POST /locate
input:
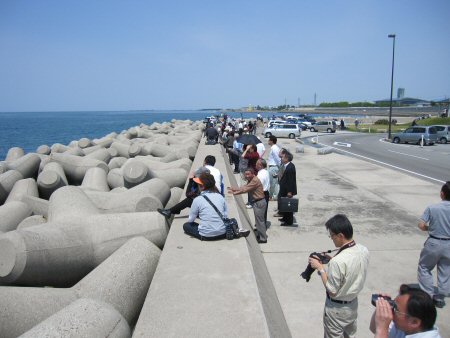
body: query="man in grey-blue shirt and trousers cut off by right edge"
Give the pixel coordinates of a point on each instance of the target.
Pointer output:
(436, 250)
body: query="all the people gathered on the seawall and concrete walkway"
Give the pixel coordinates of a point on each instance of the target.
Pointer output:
(411, 314)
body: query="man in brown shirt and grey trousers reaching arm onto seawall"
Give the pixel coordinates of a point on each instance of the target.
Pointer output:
(255, 187)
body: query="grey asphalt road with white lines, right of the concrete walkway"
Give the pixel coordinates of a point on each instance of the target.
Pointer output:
(430, 162)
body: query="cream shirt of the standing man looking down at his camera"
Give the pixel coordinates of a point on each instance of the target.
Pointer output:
(347, 273)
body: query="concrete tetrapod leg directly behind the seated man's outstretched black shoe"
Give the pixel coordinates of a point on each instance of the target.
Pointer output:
(147, 196)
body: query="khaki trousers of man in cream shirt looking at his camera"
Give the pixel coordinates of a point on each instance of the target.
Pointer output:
(339, 320)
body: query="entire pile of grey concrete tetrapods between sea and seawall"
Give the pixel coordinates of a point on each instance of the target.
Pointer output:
(80, 238)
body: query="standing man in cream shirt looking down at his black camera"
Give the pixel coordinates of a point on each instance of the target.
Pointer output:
(344, 280)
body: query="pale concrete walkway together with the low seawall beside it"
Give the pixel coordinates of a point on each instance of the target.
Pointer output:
(241, 289)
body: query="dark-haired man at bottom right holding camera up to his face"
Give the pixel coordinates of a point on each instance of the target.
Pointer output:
(411, 314)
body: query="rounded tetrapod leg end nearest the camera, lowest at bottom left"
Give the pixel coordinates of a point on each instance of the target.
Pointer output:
(83, 318)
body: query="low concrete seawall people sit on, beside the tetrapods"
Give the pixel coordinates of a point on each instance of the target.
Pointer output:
(211, 289)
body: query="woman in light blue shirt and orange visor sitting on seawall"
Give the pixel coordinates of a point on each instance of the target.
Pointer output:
(211, 226)
